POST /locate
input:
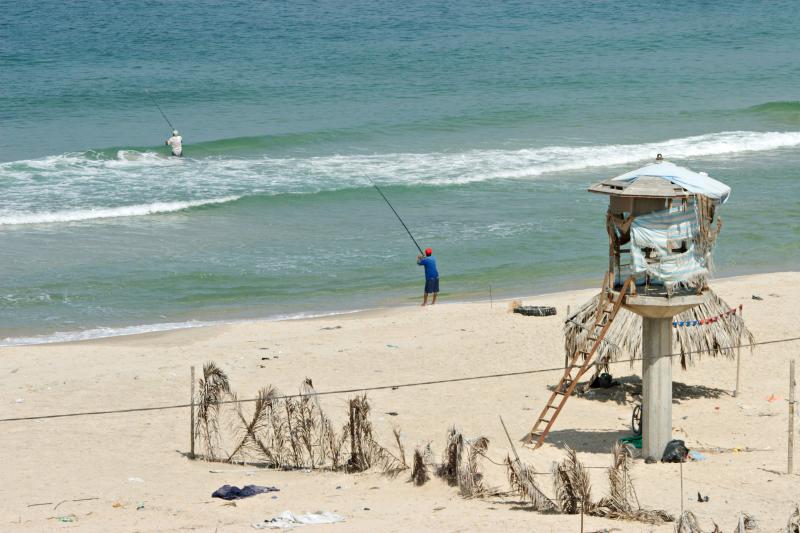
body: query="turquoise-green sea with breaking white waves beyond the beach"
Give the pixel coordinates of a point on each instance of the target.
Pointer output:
(483, 122)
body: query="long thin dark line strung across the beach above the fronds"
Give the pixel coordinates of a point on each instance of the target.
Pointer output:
(385, 387)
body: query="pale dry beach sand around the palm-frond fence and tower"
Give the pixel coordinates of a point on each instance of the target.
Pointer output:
(138, 458)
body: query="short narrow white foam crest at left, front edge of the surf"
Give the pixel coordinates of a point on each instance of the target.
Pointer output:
(111, 212)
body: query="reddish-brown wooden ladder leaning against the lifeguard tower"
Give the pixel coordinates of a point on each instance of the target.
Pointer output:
(606, 312)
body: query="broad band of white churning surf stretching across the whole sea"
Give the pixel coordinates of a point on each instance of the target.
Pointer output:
(73, 187)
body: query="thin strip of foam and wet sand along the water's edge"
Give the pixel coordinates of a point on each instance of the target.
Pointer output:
(160, 328)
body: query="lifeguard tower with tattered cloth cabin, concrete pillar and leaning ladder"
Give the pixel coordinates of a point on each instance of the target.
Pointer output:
(660, 224)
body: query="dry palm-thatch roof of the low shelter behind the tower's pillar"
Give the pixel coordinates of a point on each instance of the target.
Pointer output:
(624, 337)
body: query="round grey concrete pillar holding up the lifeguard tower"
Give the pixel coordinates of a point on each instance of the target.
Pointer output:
(656, 386)
